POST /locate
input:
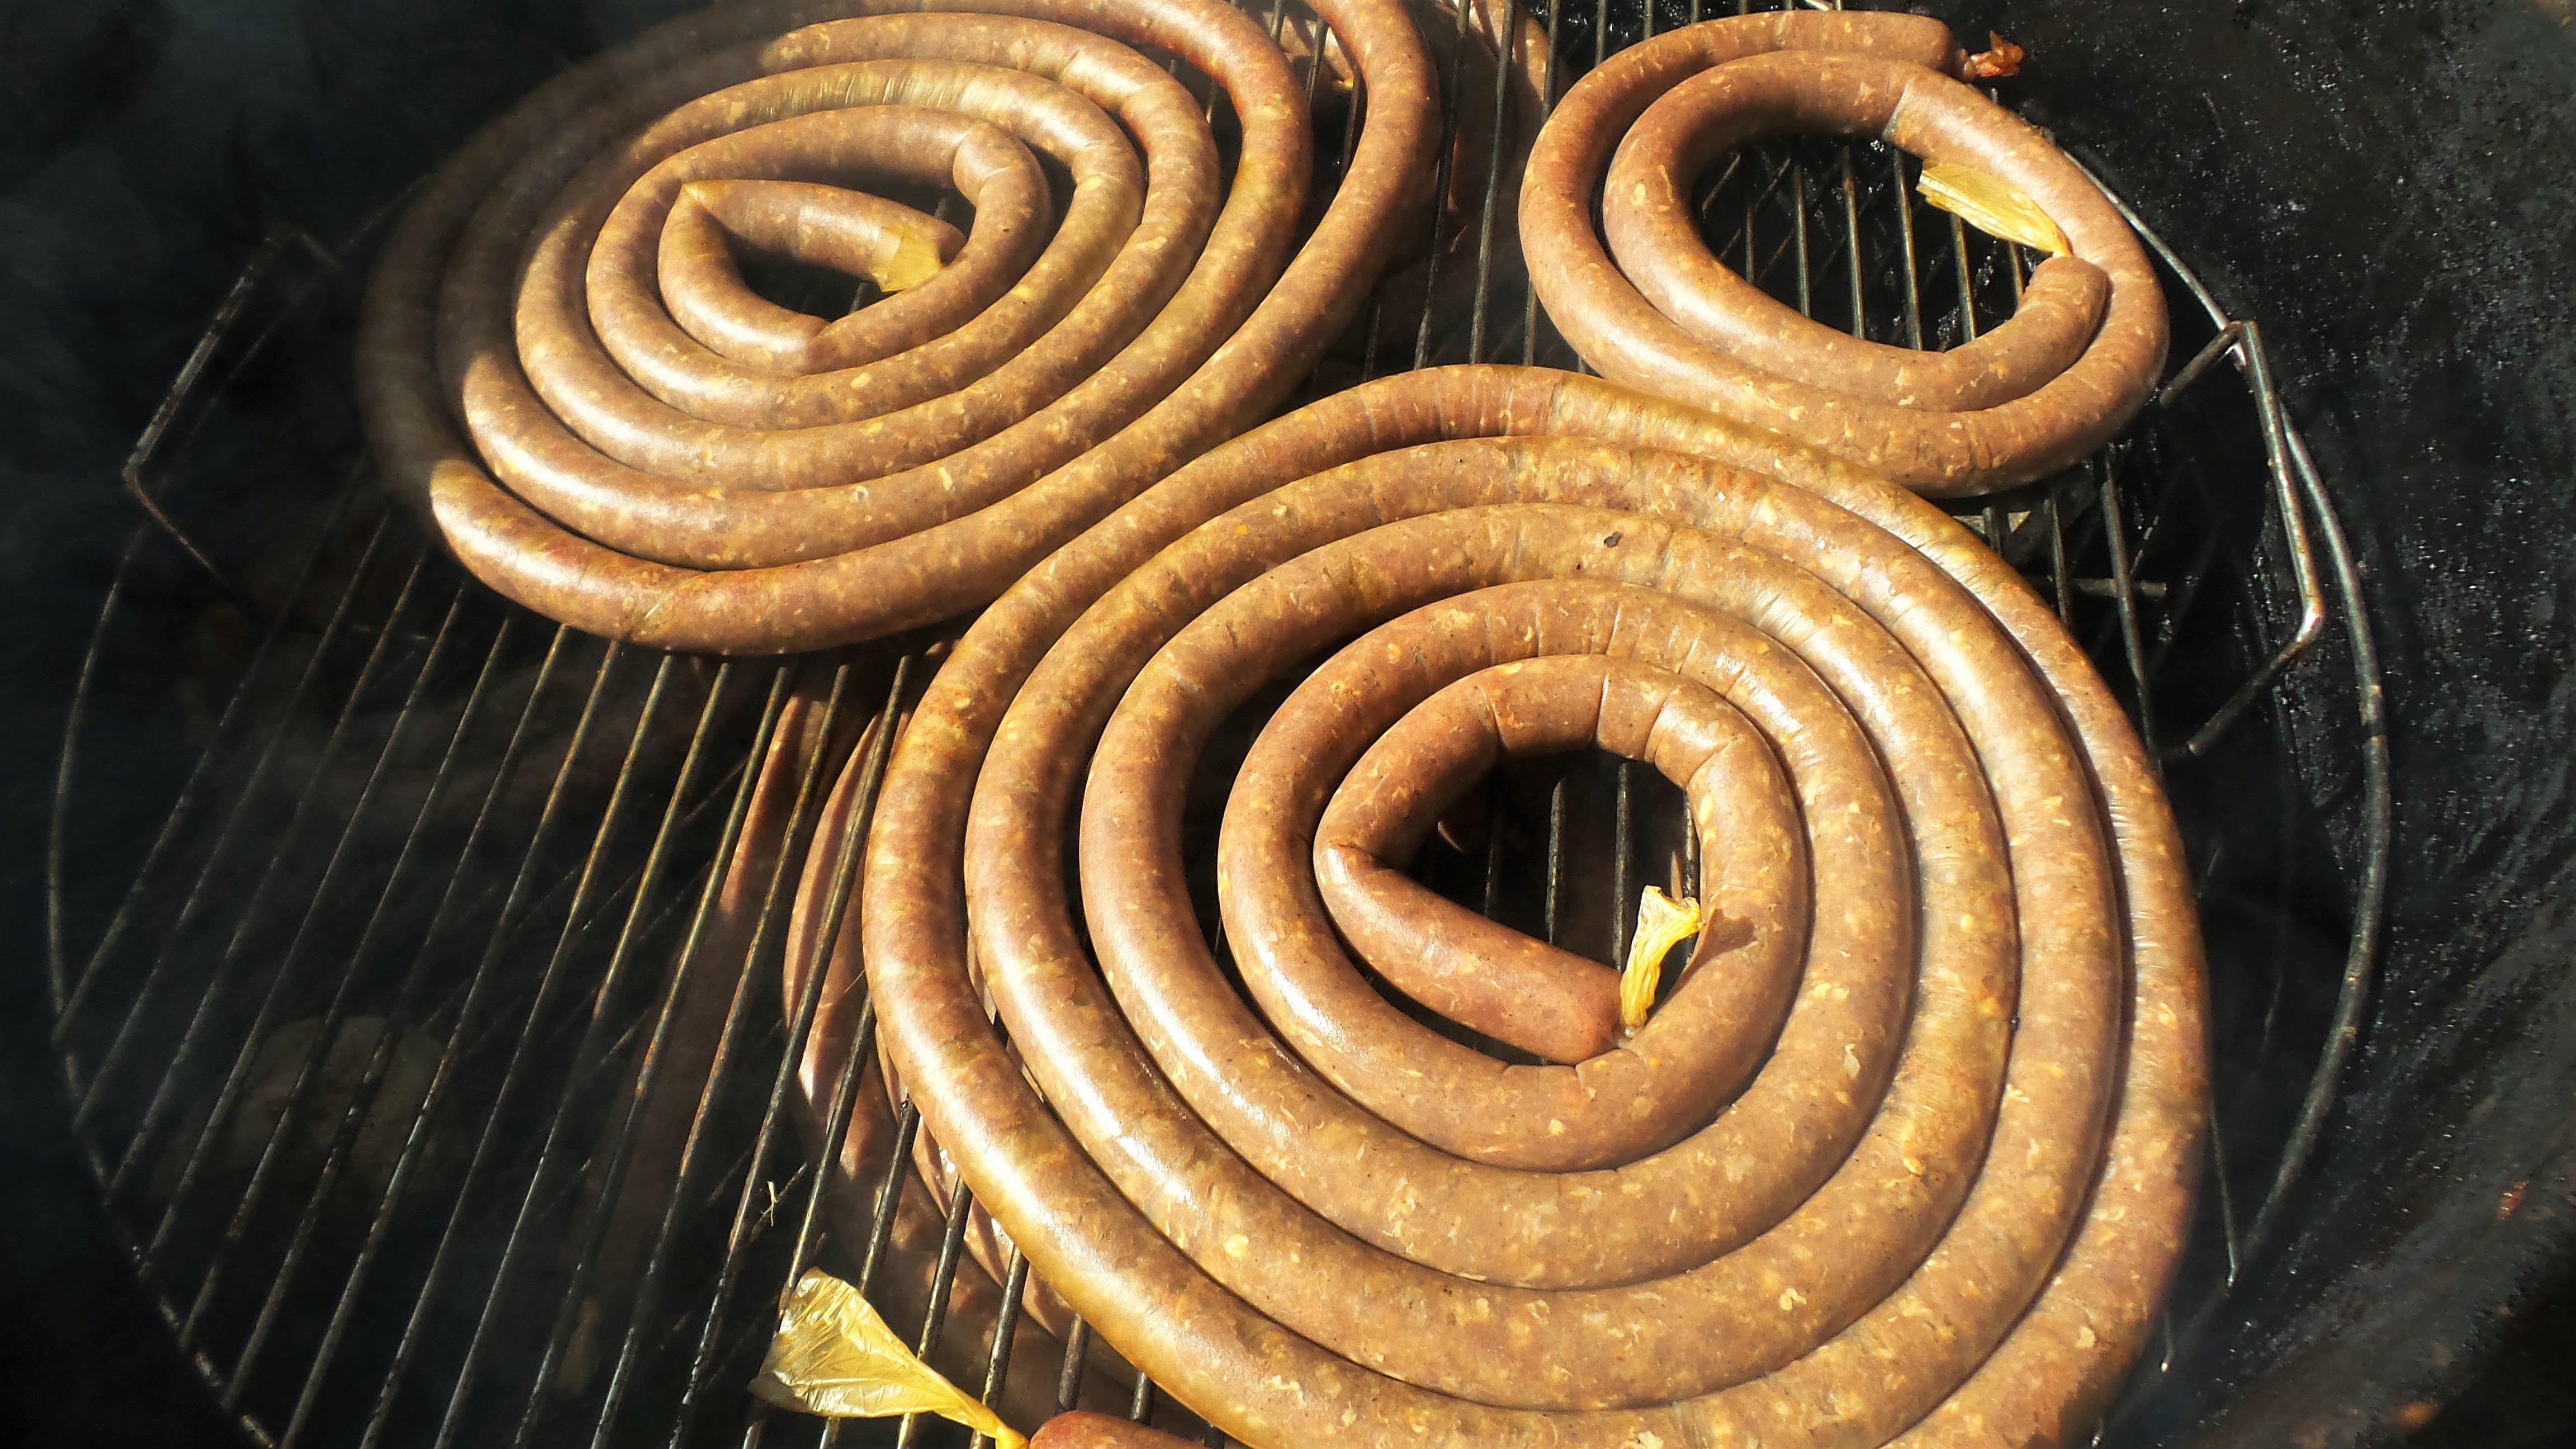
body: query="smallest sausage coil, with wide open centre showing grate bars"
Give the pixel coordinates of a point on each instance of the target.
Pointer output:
(1658, 311)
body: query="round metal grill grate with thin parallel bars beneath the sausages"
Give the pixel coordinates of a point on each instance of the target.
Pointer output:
(380, 911)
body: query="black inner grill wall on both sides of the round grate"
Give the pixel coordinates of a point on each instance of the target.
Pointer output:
(2392, 190)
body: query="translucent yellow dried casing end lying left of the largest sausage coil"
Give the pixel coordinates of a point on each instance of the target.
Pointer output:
(836, 1357)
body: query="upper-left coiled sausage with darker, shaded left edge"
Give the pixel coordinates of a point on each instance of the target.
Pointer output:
(571, 380)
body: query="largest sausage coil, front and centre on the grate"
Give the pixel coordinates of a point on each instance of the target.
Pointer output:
(1908, 1154)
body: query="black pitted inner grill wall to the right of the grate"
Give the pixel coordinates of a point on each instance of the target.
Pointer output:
(2394, 192)
